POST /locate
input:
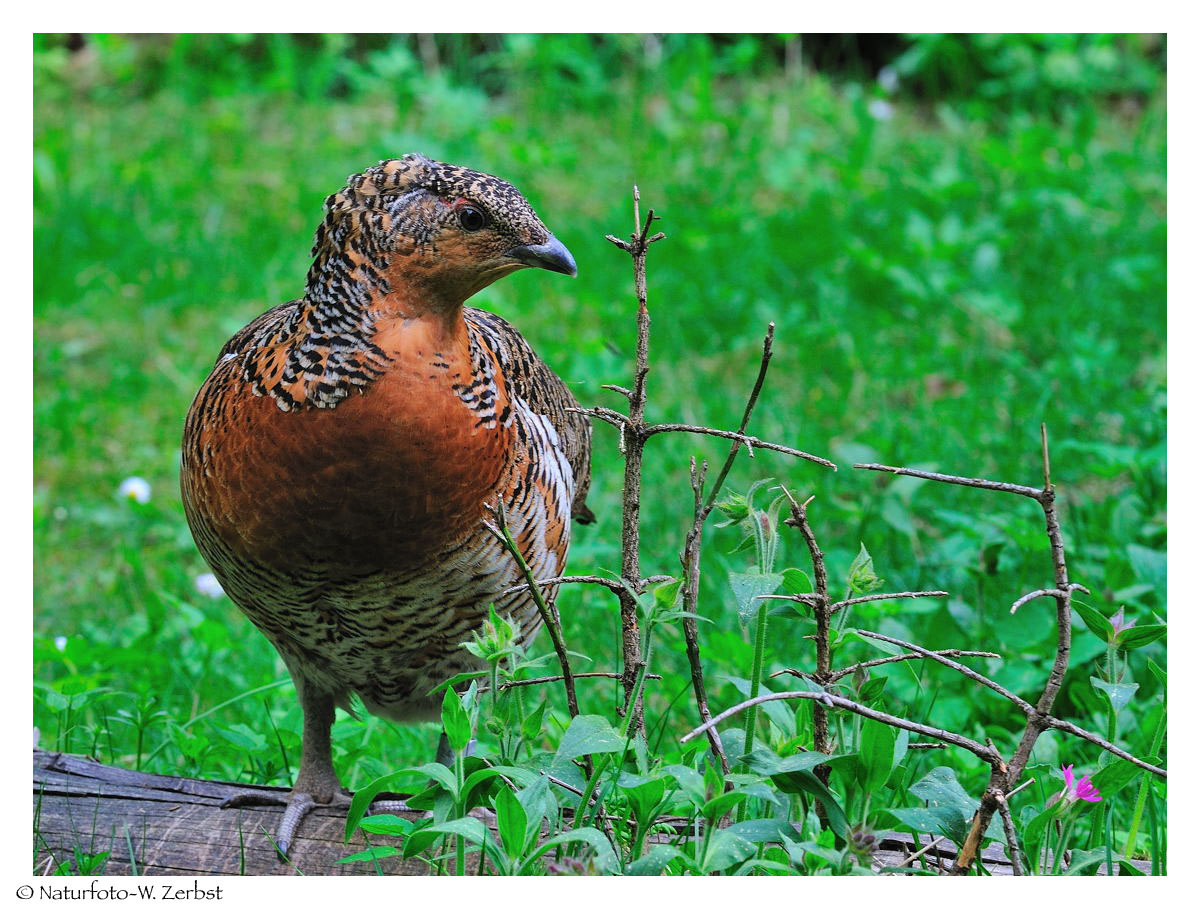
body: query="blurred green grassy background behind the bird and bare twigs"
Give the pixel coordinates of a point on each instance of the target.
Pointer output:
(958, 238)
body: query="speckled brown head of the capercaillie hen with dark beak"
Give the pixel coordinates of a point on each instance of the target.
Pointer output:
(415, 225)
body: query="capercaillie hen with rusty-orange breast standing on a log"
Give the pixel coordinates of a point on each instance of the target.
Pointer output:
(340, 461)
